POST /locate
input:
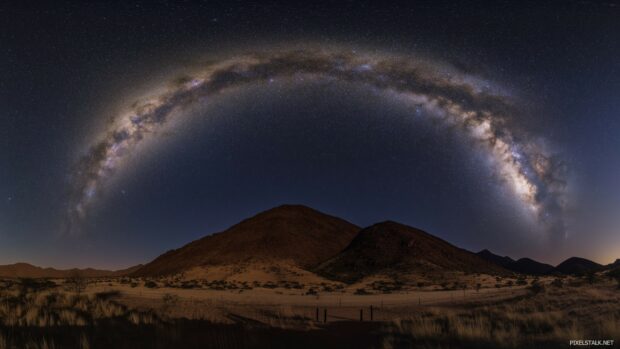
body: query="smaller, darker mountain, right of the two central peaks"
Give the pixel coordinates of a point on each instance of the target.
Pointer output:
(390, 247)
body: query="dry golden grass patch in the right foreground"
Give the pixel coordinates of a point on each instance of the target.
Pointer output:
(551, 317)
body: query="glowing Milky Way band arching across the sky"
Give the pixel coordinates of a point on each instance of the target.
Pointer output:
(489, 119)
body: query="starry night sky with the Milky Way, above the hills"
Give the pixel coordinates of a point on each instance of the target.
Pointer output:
(129, 129)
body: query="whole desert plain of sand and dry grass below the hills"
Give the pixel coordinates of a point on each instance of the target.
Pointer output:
(469, 311)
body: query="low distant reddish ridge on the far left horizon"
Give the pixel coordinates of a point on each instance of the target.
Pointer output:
(25, 270)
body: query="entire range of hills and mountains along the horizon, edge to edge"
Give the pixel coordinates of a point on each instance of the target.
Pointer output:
(294, 242)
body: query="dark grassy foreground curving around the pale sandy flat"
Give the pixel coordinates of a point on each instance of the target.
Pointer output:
(45, 315)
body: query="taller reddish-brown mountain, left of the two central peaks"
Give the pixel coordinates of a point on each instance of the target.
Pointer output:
(295, 234)
